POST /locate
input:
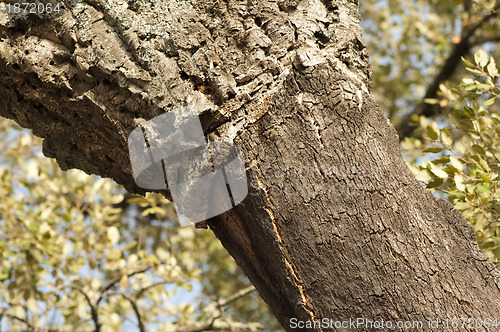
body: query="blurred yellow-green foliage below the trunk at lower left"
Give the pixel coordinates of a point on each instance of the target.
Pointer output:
(77, 251)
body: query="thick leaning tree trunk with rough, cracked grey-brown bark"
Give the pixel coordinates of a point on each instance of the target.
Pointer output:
(335, 225)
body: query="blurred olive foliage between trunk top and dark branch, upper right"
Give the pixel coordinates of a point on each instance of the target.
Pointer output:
(411, 40)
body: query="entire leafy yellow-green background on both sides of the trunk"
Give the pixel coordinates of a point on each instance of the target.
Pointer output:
(79, 253)
